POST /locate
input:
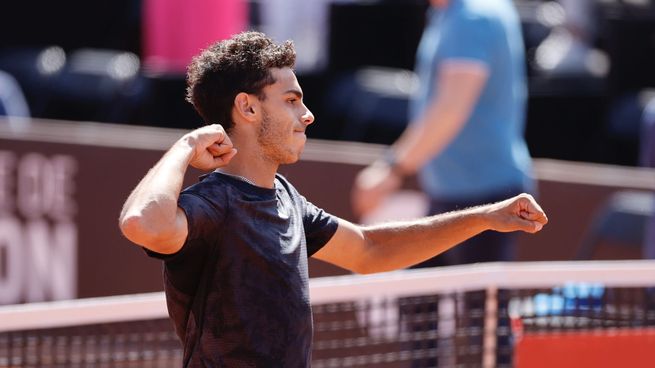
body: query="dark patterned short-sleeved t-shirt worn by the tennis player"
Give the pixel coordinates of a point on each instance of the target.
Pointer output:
(237, 291)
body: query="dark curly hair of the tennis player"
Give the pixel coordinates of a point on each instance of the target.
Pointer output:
(239, 64)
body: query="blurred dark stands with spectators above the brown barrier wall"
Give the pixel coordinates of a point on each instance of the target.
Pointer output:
(589, 65)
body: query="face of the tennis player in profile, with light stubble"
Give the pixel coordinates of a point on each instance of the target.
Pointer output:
(284, 118)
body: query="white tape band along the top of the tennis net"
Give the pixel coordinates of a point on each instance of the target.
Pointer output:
(335, 289)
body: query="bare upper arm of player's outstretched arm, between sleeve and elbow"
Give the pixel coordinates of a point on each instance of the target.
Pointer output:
(347, 248)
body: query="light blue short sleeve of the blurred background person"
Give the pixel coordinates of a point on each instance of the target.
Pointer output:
(468, 36)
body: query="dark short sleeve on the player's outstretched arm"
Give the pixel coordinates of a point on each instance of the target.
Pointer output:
(320, 226)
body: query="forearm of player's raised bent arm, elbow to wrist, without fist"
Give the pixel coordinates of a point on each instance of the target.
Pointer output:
(151, 208)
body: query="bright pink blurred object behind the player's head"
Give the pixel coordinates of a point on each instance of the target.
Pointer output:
(176, 30)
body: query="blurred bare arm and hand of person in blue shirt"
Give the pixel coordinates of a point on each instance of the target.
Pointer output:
(460, 83)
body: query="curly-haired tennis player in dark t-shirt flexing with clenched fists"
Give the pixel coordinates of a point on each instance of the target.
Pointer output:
(235, 245)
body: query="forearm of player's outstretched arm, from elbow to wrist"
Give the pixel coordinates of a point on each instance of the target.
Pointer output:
(403, 244)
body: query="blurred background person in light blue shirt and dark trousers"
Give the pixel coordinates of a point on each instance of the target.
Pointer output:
(465, 137)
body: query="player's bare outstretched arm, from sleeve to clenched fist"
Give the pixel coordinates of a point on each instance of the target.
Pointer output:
(398, 245)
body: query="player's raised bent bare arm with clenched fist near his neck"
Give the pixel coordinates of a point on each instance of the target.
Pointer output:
(150, 216)
